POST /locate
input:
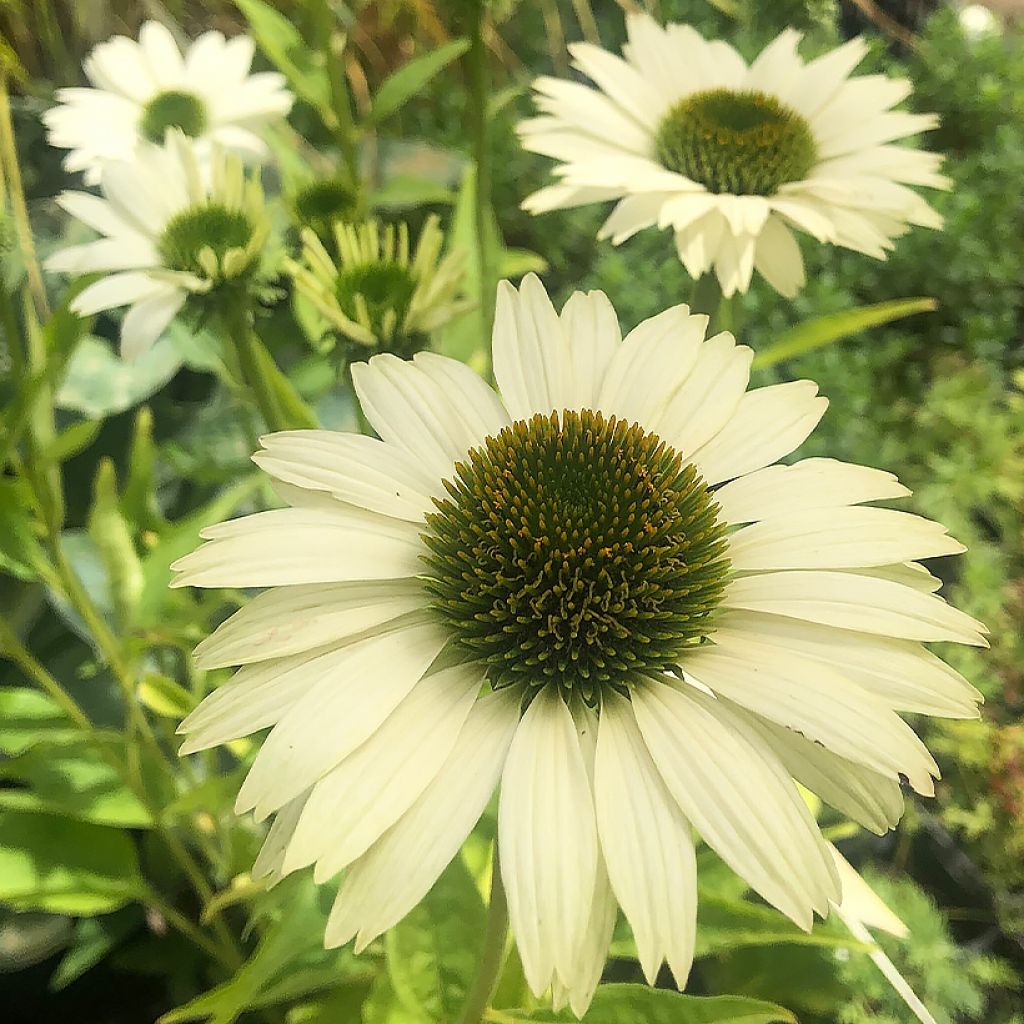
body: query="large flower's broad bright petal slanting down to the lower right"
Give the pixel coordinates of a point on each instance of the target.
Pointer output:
(737, 793)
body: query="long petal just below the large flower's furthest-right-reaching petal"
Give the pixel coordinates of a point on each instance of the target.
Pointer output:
(902, 673)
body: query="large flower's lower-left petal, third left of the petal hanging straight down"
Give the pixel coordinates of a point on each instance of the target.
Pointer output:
(339, 712)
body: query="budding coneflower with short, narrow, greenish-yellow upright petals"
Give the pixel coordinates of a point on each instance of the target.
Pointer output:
(379, 295)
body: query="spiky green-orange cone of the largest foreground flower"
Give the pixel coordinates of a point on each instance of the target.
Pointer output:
(577, 550)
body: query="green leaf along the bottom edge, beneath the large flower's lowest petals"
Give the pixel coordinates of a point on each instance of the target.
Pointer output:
(633, 1004)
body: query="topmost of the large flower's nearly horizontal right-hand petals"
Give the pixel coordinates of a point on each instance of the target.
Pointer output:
(812, 484)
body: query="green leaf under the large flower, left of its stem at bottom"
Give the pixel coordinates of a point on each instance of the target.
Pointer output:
(434, 953)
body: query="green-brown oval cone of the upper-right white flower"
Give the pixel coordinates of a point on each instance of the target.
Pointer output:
(744, 143)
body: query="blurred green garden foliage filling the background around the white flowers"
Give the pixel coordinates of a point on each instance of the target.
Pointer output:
(91, 888)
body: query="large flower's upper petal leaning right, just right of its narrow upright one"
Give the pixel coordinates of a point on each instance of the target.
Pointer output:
(655, 359)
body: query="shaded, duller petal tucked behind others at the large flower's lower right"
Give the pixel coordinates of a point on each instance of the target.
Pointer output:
(871, 799)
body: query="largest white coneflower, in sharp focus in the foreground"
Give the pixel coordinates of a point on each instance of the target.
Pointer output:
(596, 590)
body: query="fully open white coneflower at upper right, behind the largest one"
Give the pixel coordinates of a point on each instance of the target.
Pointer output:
(734, 158)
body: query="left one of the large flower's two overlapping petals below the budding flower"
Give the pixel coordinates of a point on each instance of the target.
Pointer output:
(410, 410)
